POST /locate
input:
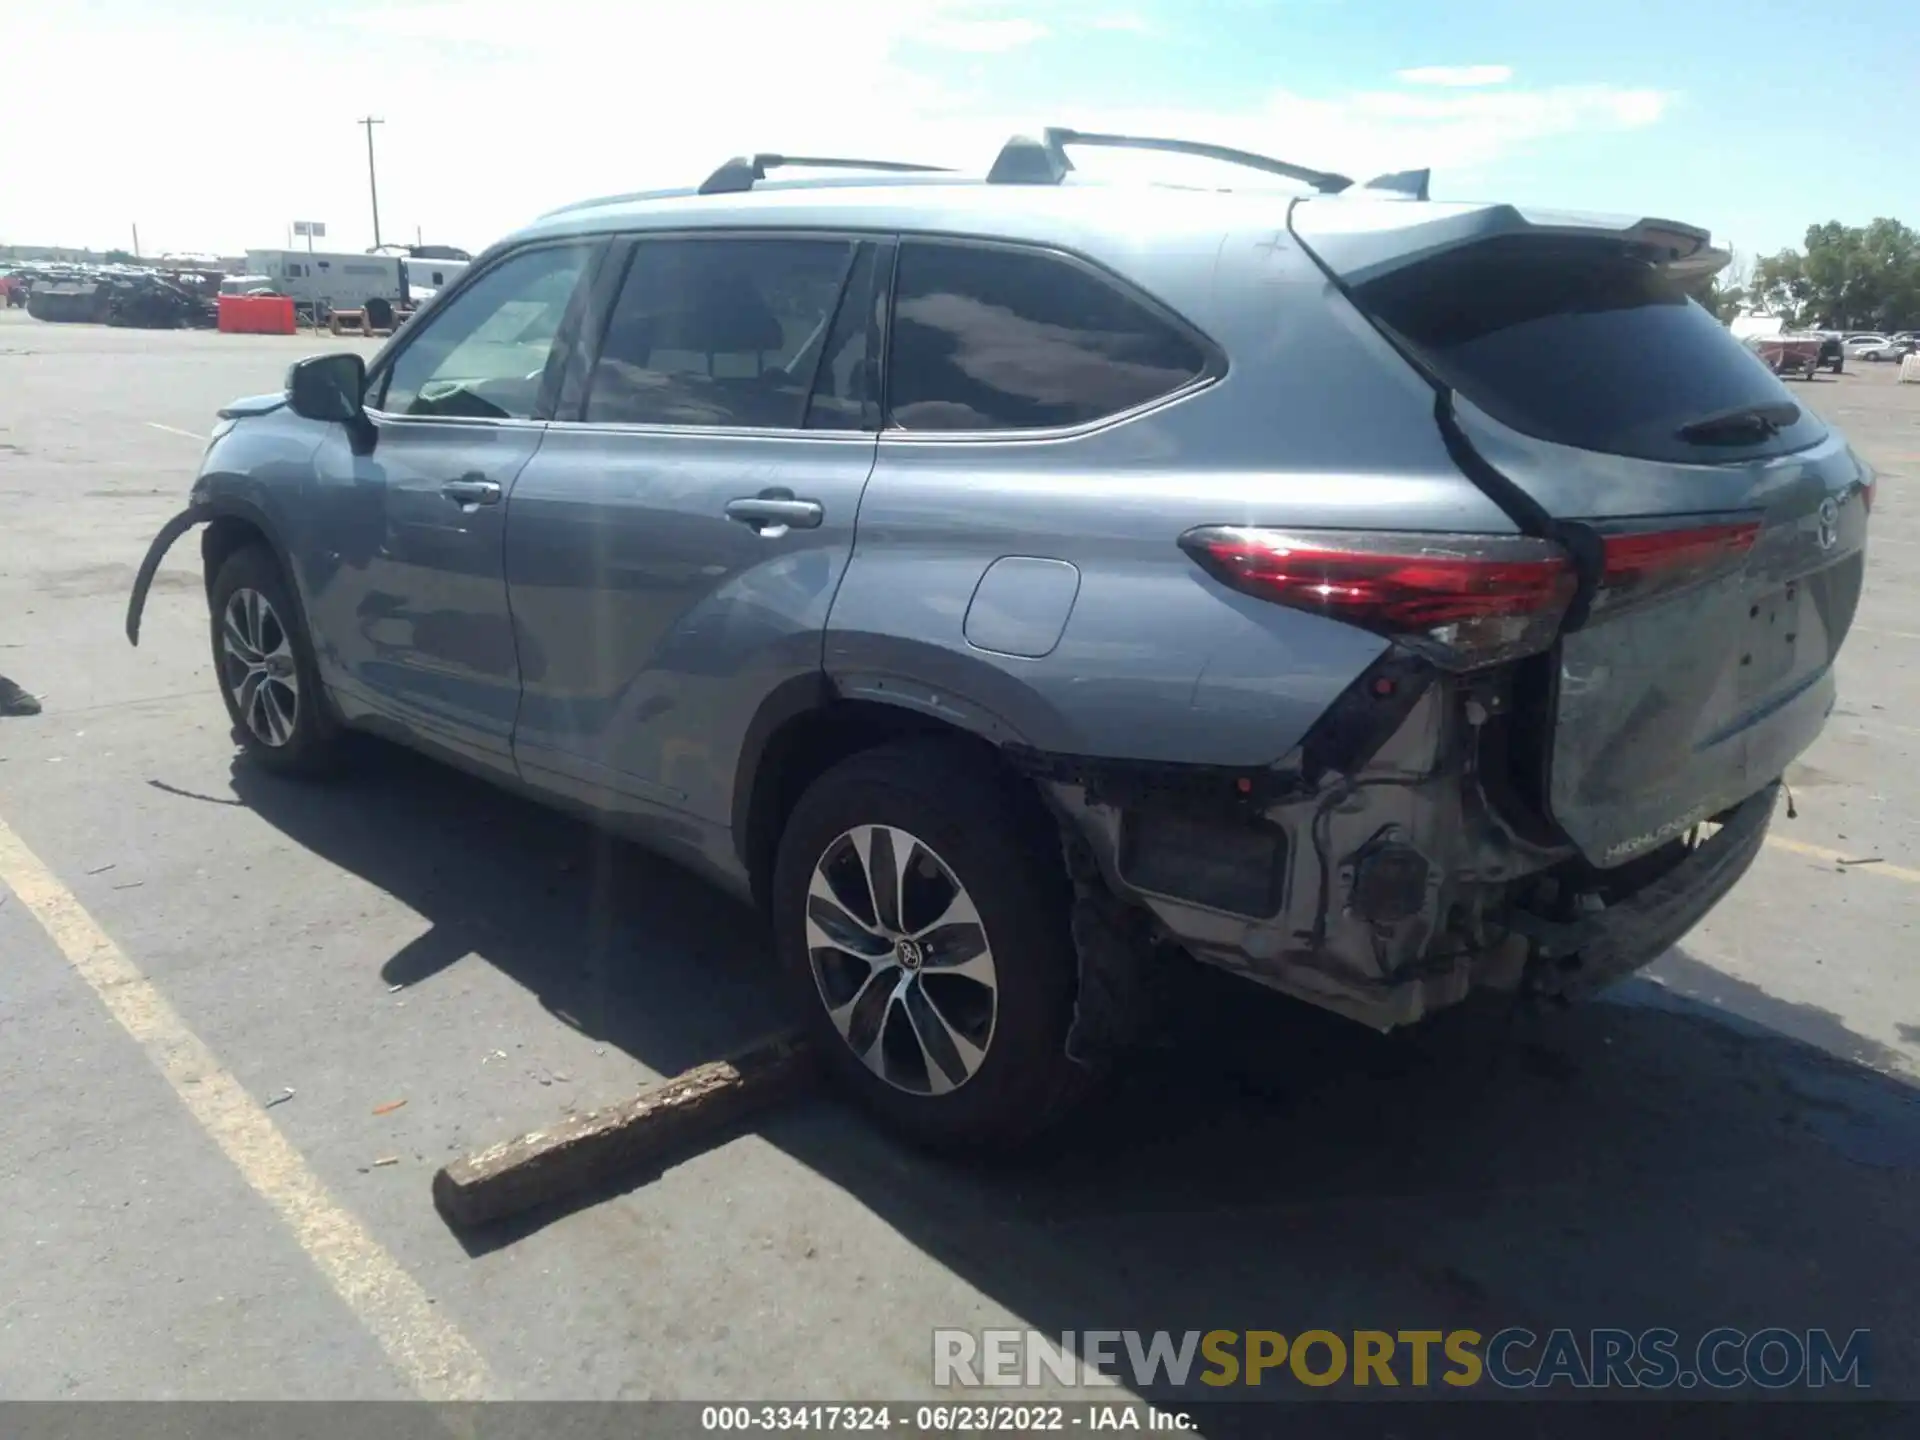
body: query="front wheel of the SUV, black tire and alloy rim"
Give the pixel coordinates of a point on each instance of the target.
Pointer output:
(266, 667)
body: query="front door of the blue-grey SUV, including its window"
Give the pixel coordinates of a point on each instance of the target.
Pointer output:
(418, 625)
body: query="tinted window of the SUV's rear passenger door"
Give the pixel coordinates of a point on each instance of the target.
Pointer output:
(719, 333)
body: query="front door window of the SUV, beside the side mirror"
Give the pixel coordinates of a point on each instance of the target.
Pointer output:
(487, 352)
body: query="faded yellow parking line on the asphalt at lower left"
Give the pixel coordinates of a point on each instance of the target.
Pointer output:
(423, 1345)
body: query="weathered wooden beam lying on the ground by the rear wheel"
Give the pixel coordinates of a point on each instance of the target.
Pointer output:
(600, 1145)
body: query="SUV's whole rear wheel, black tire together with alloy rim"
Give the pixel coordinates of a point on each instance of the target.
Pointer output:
(1001, 1076)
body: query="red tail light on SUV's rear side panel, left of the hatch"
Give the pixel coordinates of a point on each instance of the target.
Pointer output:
(1460, 600)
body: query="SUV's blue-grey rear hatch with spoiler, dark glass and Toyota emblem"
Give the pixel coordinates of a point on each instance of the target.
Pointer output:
(1717, 523)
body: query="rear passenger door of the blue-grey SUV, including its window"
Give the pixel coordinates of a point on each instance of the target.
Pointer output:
(677, 542)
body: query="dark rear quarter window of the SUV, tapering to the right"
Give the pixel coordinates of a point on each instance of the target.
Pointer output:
(1015, 341)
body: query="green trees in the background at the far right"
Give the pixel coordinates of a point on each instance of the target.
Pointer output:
(1846, 277)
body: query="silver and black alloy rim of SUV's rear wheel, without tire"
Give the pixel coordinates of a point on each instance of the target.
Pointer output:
(901, 961)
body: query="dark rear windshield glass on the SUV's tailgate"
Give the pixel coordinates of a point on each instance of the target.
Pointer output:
(1581, 345)
